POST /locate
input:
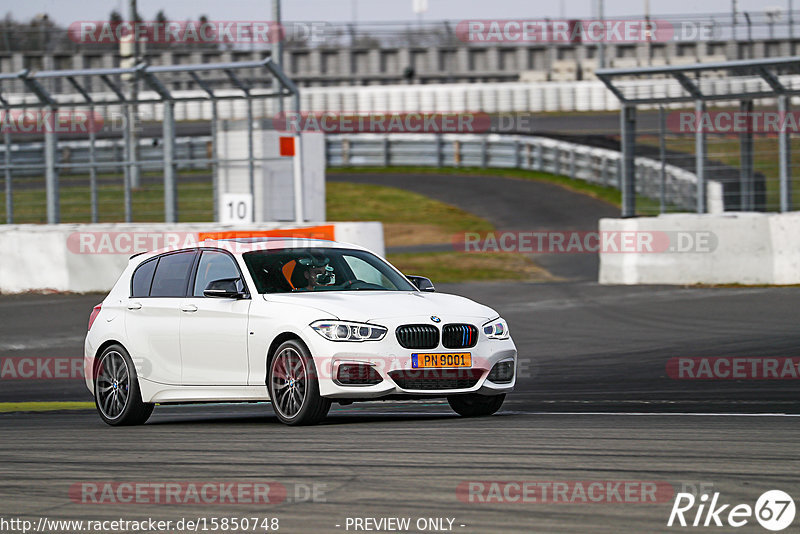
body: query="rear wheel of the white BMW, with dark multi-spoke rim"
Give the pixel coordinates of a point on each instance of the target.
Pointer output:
(116, 390)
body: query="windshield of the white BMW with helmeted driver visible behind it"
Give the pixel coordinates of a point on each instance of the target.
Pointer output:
(322, 269)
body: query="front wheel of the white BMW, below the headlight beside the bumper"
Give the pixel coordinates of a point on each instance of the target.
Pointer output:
(294, 387)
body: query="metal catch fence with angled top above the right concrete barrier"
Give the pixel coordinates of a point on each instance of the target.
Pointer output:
(730, 122)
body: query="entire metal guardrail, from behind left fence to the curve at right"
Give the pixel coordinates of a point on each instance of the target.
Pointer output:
(676, 186)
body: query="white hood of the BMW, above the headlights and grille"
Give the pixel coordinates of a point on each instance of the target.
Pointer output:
(365, 306)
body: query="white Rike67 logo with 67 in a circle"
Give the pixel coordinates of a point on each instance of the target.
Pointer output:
(774, 510)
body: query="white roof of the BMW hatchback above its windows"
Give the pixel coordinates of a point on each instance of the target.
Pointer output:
(243, 245)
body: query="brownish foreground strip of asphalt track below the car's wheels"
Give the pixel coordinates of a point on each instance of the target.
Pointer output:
(407, 464)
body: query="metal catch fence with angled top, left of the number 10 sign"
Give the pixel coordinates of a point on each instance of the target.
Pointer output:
(76, 157)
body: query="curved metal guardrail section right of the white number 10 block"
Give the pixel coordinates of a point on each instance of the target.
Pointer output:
(655, 179)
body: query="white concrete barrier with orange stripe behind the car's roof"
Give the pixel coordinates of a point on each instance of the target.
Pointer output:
(90, 257)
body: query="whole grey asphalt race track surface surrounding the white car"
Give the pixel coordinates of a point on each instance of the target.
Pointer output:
(594, 402)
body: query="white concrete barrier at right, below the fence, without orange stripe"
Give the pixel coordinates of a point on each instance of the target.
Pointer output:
(729, 248)
